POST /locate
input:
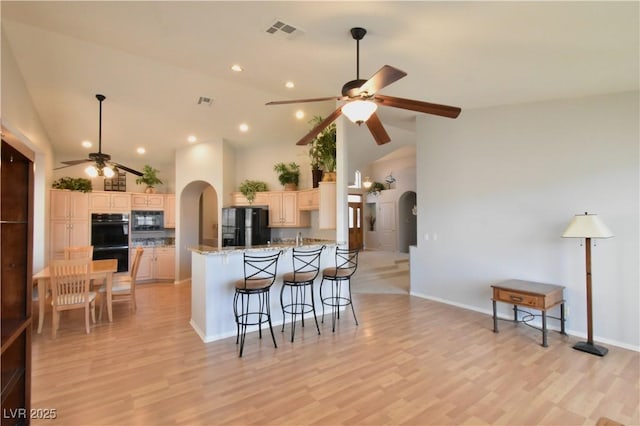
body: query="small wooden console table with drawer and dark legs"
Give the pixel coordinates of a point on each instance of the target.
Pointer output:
(531, 294)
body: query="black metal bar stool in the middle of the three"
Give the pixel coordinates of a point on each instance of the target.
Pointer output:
(306, 266)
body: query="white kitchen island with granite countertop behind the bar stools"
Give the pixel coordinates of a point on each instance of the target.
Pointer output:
(214, 272)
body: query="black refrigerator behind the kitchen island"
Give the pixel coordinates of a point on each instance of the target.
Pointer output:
(245, 226)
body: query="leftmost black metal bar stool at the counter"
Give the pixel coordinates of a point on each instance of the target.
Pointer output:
(259, 276)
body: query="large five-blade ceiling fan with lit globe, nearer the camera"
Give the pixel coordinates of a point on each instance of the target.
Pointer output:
(362, 100)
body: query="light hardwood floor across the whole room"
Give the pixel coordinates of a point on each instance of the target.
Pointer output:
(410, 361)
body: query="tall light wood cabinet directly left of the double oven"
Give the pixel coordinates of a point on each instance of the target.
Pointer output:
(69, 225)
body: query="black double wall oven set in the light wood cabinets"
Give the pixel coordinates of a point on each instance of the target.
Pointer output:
(110, 238)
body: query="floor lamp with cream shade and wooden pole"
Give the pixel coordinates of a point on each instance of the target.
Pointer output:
(588, 226)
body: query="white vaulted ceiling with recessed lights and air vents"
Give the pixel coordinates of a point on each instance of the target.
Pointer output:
(153, 60)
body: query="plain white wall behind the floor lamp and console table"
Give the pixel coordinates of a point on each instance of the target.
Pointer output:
(498, 186)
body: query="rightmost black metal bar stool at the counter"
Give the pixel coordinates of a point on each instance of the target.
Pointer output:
(346, 265)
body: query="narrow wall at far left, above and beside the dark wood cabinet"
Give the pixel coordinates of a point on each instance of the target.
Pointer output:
(20, 117)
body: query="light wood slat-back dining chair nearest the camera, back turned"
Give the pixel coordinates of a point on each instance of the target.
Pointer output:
(70, 280)
